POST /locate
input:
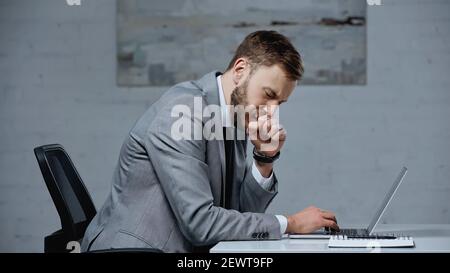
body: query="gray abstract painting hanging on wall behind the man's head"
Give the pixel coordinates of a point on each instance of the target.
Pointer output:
(160, 43)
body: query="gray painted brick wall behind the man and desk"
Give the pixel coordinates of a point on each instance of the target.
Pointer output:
(345, 144)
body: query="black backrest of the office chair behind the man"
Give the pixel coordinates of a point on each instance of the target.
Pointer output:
(70, 196)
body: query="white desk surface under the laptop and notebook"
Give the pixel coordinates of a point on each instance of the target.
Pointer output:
(427, 238)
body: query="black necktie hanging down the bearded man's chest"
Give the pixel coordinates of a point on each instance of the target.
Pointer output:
(229, 163)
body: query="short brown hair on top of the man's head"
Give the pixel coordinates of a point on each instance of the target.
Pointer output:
(268, 48)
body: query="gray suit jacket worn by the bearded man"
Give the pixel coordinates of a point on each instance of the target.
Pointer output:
(166, 193)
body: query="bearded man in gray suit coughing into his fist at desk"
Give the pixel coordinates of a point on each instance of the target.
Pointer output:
(181, 194)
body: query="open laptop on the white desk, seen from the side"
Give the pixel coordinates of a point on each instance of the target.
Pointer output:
(364, 232)
